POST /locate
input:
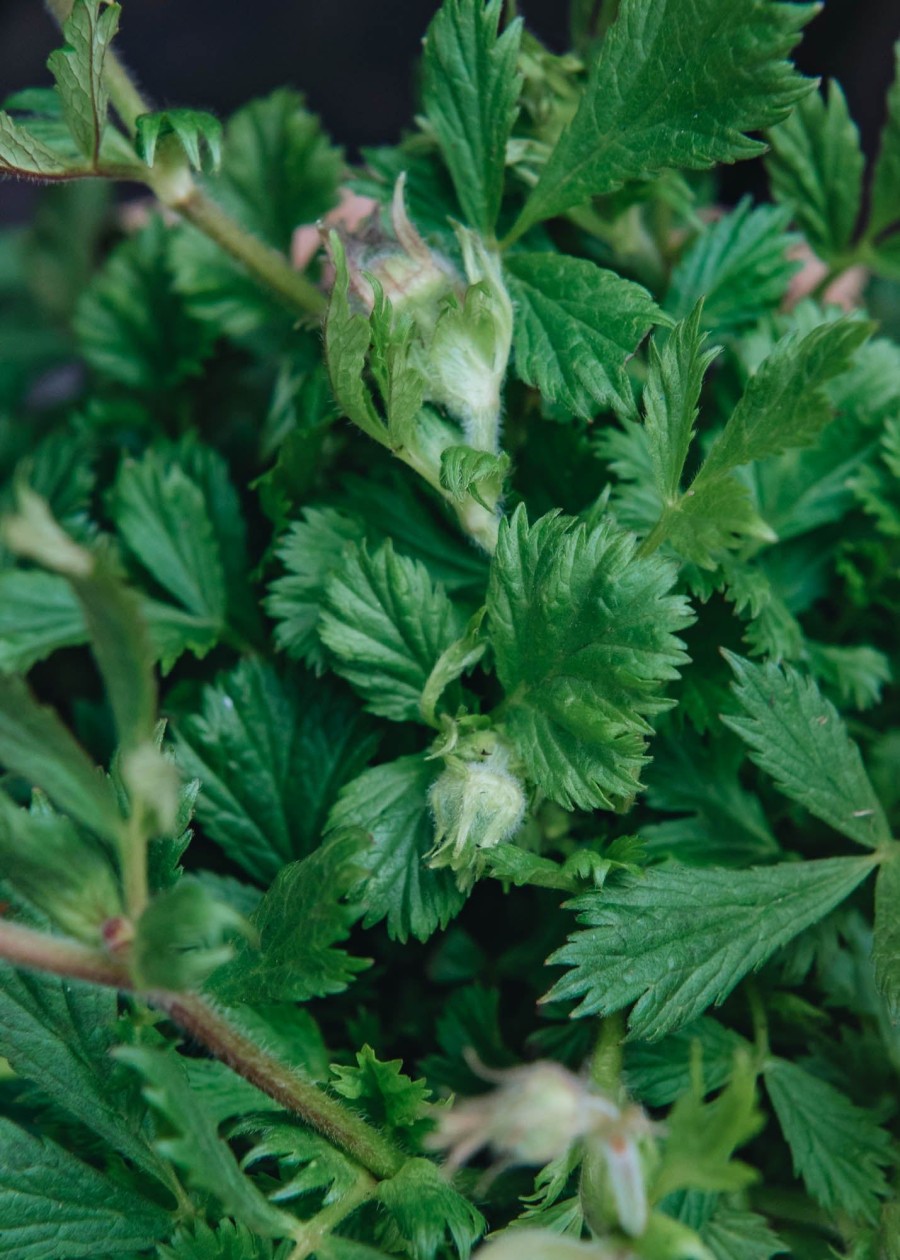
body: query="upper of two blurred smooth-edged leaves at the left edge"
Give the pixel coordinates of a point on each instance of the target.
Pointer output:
(36, 745)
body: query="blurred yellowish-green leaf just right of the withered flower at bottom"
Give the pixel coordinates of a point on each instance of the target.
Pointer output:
(703, 1137)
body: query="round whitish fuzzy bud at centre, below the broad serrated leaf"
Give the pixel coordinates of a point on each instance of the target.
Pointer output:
(477, 805)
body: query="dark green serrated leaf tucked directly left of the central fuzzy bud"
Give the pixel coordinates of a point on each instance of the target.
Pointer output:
(391, 805)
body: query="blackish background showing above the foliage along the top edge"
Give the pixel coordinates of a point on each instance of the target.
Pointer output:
(356, 59)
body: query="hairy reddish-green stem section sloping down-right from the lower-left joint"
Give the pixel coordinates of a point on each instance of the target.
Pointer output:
(332, 1120)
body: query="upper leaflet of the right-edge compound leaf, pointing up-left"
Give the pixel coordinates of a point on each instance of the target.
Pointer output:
(796, 735)
